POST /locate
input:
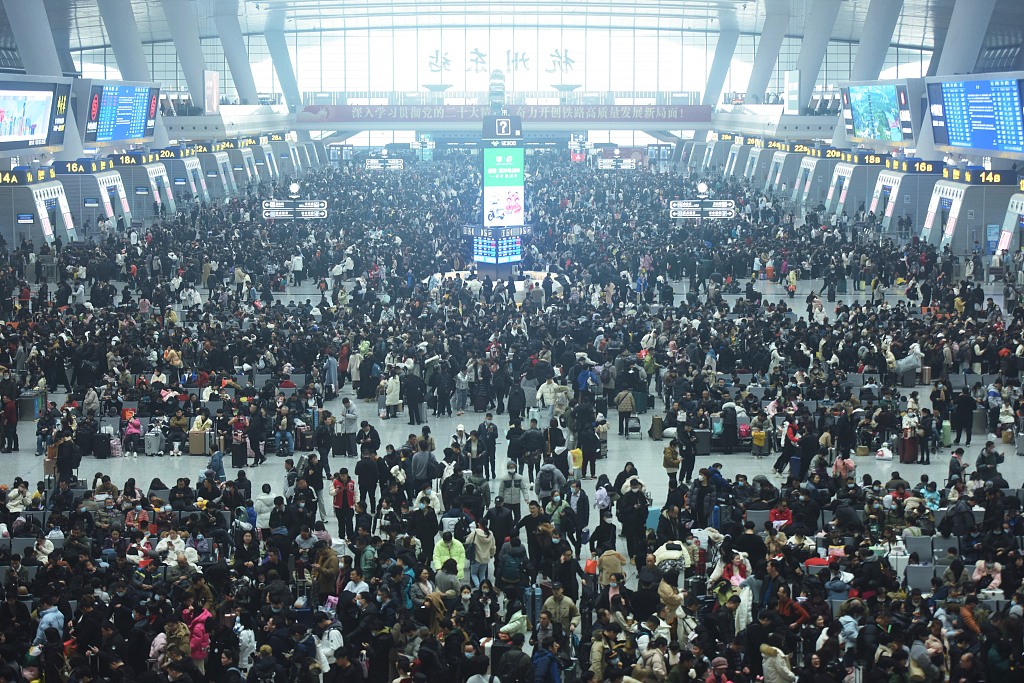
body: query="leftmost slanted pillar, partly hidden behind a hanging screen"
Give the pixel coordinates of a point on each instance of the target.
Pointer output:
(39, 55)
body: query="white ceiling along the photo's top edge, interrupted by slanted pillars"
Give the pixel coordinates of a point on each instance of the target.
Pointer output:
(920, 22)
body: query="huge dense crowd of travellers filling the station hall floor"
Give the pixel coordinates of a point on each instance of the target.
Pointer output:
(450, 559)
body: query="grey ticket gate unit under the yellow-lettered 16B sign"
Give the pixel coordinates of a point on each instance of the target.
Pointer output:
(903, 191)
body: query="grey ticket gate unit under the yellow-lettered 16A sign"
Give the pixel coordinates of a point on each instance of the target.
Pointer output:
(96, 191)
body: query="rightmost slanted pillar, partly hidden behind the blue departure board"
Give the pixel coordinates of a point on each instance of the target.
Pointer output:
(958, 57)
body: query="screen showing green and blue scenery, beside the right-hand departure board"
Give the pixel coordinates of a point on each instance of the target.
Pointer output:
(878, 112)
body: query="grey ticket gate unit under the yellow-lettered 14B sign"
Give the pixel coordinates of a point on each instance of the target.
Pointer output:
(967, 206)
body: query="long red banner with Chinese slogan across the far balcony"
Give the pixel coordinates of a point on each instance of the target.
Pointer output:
(678, 114)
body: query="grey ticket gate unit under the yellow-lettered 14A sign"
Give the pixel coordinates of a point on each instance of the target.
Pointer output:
(33, 204)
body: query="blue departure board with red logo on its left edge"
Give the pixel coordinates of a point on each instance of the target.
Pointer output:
(121, 113)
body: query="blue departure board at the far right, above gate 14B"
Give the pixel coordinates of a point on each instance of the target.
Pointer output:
(978, 115)
